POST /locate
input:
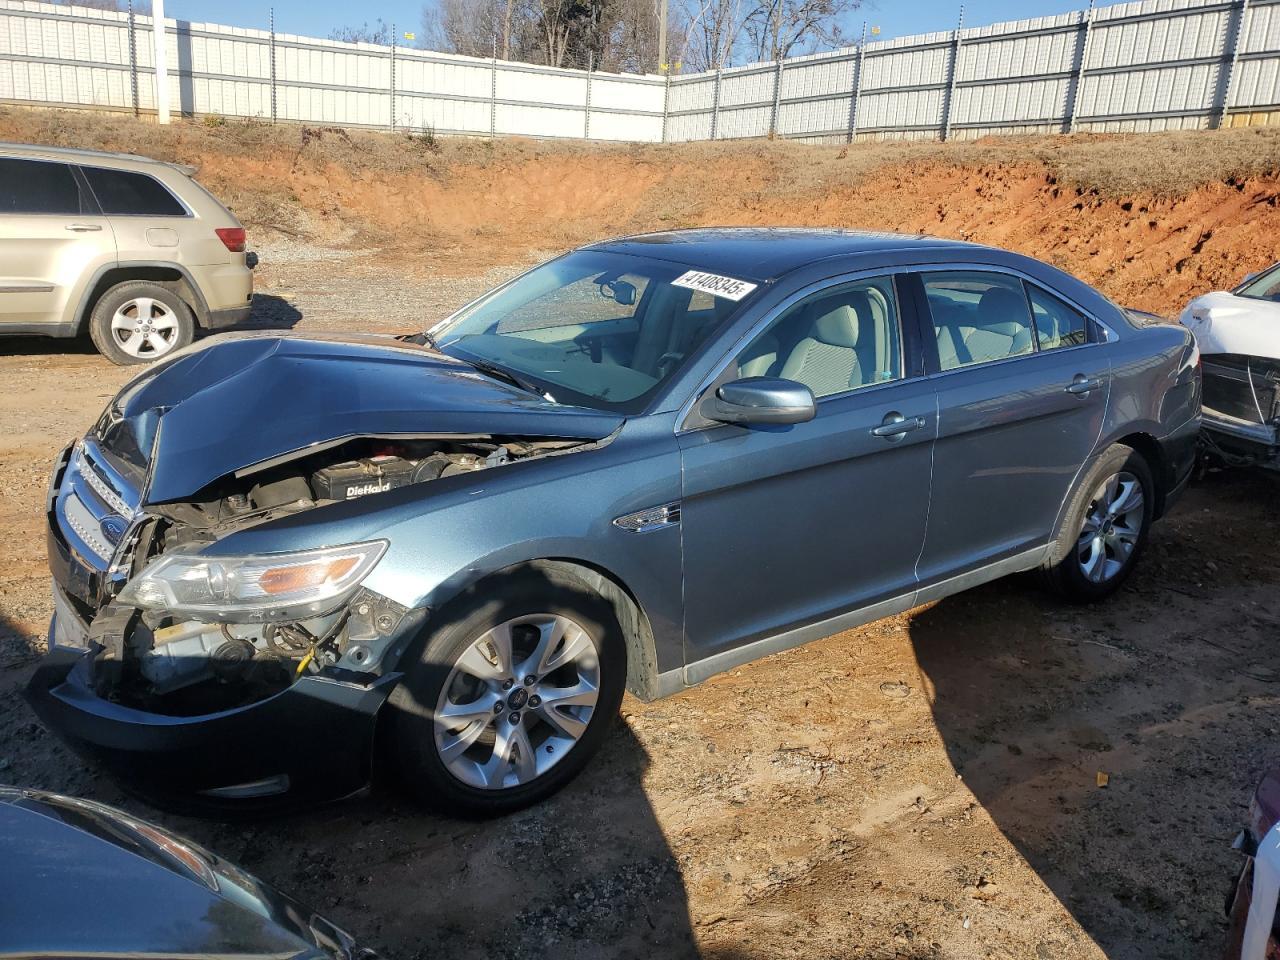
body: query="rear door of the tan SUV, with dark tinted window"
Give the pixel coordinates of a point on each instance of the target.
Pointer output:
(52, 241)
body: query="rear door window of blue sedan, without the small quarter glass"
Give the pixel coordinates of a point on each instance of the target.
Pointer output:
(979, 317)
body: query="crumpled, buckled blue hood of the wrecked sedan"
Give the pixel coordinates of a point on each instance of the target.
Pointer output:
(246, 401)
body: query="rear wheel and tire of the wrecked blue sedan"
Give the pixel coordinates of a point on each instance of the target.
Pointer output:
(1091, 569)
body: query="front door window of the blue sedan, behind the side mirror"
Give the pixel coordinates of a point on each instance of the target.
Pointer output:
(835, 341)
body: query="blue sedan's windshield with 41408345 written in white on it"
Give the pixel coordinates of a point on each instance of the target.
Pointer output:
(597, 330)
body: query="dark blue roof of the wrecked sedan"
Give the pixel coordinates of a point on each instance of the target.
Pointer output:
(769, 253)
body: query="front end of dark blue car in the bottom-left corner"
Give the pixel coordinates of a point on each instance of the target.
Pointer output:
(83, 879)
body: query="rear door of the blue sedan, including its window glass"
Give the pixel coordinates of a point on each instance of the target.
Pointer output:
(1022, 378)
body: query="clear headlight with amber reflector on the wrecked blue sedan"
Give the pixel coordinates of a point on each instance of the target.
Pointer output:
(269, 587)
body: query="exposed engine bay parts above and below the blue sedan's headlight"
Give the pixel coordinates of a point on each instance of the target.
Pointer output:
(184, 666)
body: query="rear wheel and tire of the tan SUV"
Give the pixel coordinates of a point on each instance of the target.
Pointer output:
(139, 322)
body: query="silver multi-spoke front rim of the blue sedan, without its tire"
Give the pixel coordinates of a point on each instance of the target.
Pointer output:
(516, 701)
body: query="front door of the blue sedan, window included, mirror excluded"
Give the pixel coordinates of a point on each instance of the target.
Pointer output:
(788, 527)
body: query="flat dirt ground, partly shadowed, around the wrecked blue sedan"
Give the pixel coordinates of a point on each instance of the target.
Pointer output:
(922, 788)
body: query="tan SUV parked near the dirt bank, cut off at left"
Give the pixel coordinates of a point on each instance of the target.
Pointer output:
(130, 250)
